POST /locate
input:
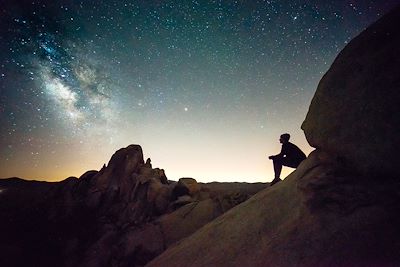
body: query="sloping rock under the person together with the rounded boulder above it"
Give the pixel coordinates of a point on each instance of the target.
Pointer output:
(341, 207)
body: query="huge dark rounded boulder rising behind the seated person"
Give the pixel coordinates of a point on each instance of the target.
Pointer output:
(355, 111)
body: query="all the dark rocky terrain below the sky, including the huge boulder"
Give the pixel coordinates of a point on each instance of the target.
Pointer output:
(340, 208)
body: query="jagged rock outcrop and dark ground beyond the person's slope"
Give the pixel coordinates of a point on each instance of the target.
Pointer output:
(123, 215)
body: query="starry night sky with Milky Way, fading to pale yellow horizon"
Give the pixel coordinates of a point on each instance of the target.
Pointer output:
(205, 87)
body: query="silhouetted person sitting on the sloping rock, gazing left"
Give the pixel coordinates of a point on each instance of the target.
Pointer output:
(290, 156)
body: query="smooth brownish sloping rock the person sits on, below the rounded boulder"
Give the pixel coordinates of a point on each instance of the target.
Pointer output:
(320, 215)
